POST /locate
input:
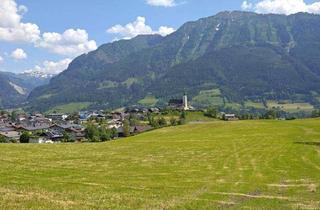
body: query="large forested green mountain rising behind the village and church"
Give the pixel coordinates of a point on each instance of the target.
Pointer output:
(231, 58)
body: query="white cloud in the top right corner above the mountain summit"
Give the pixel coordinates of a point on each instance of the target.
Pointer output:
(284, 6)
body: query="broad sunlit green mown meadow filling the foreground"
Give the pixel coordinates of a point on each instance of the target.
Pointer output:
(215, 165)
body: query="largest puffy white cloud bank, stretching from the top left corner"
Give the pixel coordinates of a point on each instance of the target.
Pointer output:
(71, 43)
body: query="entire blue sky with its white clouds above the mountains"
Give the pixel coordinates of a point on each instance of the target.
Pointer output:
(52, 52)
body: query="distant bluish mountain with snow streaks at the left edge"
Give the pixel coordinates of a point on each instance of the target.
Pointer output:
(15, 88)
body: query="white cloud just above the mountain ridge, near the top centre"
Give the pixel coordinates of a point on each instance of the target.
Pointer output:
(138, 27)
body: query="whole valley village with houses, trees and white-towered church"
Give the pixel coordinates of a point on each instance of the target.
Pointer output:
(92, 126)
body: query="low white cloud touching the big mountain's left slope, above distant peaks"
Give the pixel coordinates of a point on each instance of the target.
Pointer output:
(49, 68)
